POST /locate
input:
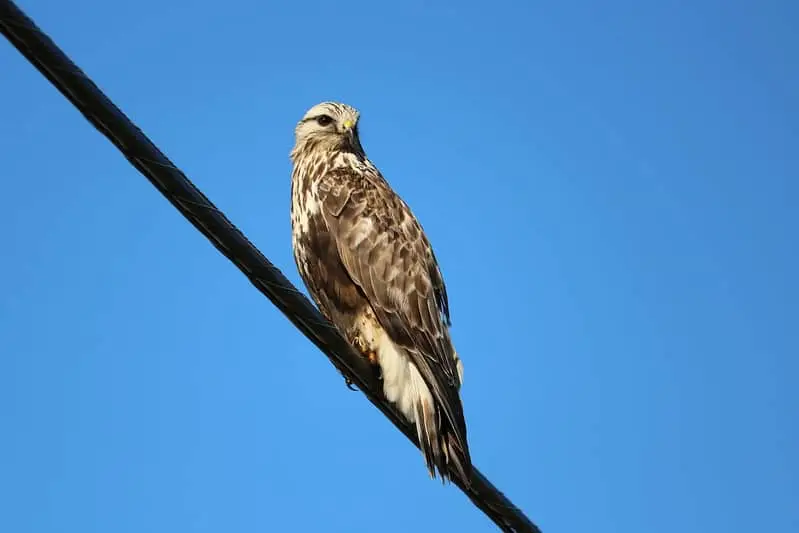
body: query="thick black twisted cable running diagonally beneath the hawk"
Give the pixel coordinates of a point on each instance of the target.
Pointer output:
(73, 83)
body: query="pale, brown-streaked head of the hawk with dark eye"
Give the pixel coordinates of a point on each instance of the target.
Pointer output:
(329, 126)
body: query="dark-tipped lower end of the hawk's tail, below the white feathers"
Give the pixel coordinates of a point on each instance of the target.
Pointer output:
(440, 446)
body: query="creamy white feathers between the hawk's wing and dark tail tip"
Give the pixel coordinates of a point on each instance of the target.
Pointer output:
(403, 385)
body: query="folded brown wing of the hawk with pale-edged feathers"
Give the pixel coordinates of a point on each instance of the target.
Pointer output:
(386, 253)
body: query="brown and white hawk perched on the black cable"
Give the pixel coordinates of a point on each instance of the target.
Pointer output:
(371, 270)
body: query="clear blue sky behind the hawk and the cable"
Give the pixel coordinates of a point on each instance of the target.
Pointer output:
(611, 191)
